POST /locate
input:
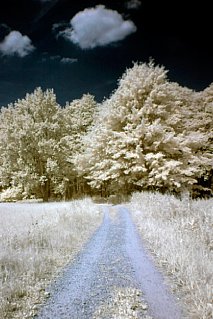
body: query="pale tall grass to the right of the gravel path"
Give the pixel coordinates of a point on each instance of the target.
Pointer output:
(179, 234)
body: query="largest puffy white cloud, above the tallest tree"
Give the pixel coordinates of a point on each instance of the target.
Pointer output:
(97, 26)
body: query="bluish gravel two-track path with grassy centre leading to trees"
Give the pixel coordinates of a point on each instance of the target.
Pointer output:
(113, 277)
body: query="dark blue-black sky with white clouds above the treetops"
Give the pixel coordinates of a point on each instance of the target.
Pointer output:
(41, 46)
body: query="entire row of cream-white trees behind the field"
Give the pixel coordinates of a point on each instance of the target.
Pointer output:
(150, 134)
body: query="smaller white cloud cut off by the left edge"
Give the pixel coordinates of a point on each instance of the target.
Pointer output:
(16, 44)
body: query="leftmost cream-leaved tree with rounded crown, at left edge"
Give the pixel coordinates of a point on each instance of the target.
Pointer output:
(30, 133)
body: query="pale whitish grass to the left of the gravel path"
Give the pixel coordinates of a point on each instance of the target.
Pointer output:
(36, 241)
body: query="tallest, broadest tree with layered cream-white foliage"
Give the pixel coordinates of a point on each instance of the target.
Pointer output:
(144, 136)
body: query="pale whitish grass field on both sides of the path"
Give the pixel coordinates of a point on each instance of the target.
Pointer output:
(37, 240)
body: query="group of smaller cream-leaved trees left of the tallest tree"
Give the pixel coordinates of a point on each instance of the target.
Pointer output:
(34, 149)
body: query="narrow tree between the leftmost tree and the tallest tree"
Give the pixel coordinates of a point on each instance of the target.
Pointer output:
(76, 119)
